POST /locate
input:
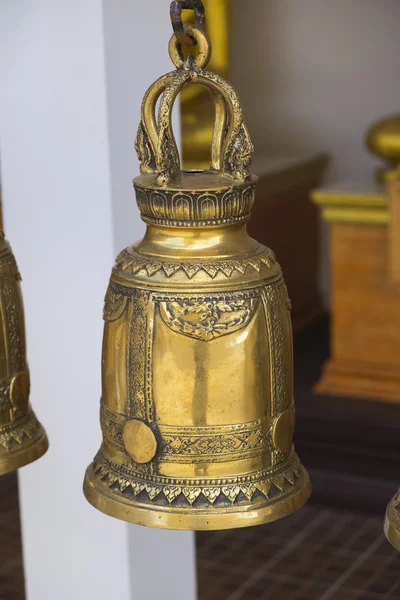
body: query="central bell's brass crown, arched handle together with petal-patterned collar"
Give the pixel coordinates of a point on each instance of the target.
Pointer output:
(165, 194)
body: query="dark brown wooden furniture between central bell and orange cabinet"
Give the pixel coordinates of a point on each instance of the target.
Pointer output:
(285, 220)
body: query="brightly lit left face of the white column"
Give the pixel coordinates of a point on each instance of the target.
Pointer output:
(57, 205)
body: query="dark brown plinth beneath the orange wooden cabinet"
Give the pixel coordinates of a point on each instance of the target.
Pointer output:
(350, 448)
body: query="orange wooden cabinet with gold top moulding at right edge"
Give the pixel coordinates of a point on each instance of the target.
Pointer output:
(365, 325)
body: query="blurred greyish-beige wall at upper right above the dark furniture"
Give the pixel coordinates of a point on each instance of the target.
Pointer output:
(314, 74)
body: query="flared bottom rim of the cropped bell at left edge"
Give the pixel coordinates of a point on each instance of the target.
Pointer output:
(27, 451)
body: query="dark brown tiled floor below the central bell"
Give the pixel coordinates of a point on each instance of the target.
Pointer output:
(316, 554)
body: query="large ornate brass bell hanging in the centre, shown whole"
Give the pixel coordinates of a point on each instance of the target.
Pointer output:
(197, 409)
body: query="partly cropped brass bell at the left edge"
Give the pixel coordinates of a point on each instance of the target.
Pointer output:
(22, 438)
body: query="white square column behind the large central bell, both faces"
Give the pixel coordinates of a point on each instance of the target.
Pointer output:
(72, 76)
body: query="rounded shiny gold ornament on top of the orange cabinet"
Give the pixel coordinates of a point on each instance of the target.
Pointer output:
(383, 139)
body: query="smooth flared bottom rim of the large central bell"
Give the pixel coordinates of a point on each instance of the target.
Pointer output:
(139, 513)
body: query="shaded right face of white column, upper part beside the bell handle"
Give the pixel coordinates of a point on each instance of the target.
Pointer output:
(136, 36)
